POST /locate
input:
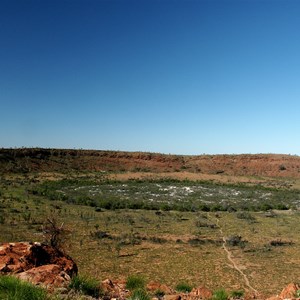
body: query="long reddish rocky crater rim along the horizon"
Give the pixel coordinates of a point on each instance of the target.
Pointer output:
(64, 160)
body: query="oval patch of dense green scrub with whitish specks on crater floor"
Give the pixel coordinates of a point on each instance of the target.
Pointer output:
(167, 194)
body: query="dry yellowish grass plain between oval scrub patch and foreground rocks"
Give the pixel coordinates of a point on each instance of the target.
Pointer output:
(157, 245)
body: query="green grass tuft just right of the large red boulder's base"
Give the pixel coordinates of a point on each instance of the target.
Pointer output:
(85, 285)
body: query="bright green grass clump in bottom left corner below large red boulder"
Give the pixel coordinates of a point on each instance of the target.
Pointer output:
(12, 288)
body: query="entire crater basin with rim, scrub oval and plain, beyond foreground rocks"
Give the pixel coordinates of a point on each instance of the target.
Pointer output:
(235, 228)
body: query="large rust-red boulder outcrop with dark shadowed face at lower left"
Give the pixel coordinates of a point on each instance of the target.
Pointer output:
(37, 263)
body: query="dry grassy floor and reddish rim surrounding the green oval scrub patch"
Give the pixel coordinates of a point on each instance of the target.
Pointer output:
(157, 246)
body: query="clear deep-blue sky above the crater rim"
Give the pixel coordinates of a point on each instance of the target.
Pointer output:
(181, 77)
